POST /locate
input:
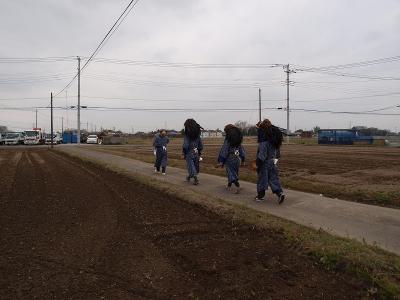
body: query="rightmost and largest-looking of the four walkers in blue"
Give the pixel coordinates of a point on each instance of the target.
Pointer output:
(269, 143)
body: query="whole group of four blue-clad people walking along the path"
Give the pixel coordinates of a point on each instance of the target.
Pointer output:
(231, 156)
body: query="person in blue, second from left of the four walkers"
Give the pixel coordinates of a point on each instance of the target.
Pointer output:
(192, 147)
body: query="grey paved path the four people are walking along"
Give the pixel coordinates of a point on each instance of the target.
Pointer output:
(368, 223)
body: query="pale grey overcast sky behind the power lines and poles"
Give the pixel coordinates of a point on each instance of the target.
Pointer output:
(303, 33)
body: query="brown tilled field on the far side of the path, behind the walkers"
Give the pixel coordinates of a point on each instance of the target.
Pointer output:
(363, 174)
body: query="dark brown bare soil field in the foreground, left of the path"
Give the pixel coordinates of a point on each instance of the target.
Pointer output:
(72, 230)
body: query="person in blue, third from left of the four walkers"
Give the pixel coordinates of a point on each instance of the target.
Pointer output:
(232, 155)
